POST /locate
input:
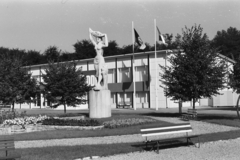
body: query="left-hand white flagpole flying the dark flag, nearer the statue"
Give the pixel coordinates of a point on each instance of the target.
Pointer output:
(133, 70)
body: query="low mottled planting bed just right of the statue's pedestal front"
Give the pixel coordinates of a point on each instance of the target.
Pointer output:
(127, 122)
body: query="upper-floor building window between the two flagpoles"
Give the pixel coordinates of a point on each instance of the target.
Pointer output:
(141, 73)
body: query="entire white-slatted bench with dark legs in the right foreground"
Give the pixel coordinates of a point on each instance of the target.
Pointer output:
(167, 130)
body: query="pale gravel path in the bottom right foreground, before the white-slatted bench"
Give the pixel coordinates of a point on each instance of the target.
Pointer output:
(220, 150)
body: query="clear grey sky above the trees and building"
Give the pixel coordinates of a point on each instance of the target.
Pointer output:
(38, 24)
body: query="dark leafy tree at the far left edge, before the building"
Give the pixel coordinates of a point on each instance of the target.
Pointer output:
(16, 84)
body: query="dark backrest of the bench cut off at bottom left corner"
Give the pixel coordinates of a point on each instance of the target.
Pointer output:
(7, 143)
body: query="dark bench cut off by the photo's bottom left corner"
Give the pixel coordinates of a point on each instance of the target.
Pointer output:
(6, 145)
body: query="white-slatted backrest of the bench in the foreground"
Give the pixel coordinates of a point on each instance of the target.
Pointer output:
(170, 129)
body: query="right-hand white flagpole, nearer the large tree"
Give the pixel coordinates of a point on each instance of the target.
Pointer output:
(156, 86)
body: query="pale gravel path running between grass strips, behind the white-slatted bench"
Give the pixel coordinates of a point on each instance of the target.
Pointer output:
(198, 128)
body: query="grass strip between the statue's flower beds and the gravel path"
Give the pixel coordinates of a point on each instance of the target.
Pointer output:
(75, 133)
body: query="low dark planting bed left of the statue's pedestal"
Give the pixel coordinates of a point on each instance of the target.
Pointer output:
(70, 122)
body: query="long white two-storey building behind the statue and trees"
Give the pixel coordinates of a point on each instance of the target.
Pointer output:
(149, 94)
